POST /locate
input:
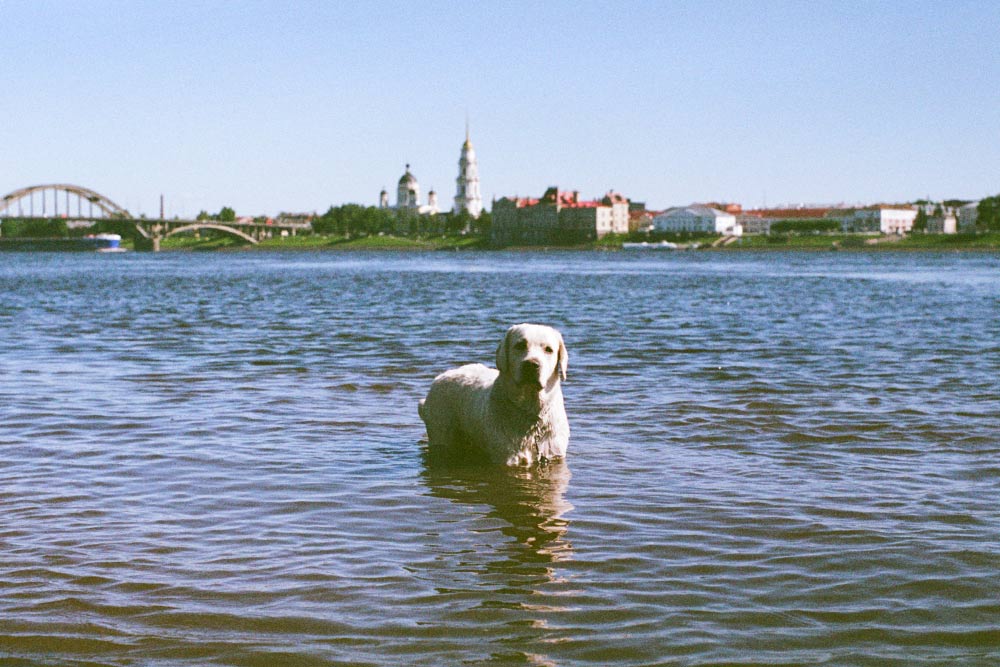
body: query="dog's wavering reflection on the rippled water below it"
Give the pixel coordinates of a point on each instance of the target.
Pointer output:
(527, 504)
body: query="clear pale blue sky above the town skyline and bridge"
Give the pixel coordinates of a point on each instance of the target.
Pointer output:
(296, 106)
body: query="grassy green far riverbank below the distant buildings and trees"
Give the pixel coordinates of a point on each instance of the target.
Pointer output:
(989, 242)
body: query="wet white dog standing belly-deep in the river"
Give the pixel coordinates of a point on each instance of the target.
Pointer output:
(513, 414)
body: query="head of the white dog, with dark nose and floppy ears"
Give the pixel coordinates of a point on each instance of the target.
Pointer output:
(532, 357)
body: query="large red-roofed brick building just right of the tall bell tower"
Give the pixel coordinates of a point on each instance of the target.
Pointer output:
(558, 217)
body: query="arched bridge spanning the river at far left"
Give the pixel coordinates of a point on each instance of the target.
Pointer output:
(76, 203)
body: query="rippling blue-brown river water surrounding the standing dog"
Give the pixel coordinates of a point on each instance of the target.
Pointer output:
(781, 459)
